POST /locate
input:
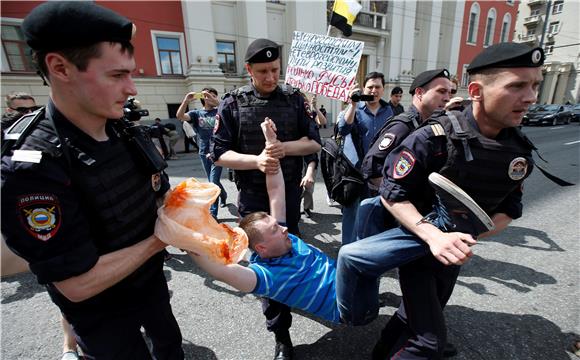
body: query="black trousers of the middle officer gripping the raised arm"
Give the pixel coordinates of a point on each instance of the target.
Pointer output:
(278, 316)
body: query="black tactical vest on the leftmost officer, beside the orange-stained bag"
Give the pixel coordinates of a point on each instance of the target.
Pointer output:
(116, 194)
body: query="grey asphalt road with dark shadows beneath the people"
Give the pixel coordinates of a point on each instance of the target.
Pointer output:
(518, 298)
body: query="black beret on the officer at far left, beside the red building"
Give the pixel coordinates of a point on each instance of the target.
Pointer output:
(56, 25)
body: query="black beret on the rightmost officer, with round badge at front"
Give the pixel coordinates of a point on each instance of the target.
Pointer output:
(506, 55)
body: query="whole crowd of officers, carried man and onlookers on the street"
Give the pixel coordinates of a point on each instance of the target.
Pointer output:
(79, 199)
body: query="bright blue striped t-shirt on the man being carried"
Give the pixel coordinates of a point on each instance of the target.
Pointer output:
(304, 278)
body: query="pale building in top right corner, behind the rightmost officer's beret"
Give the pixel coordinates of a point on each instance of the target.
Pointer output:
(553, 25)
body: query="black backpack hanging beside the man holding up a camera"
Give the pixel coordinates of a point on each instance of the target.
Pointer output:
(344, 182)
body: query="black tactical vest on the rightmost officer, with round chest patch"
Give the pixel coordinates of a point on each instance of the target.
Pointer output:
(487, 169)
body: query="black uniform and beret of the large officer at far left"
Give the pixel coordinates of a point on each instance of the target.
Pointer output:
(68, 199)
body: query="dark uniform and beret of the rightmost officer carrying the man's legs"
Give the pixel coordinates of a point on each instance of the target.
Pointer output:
(491, 171)
